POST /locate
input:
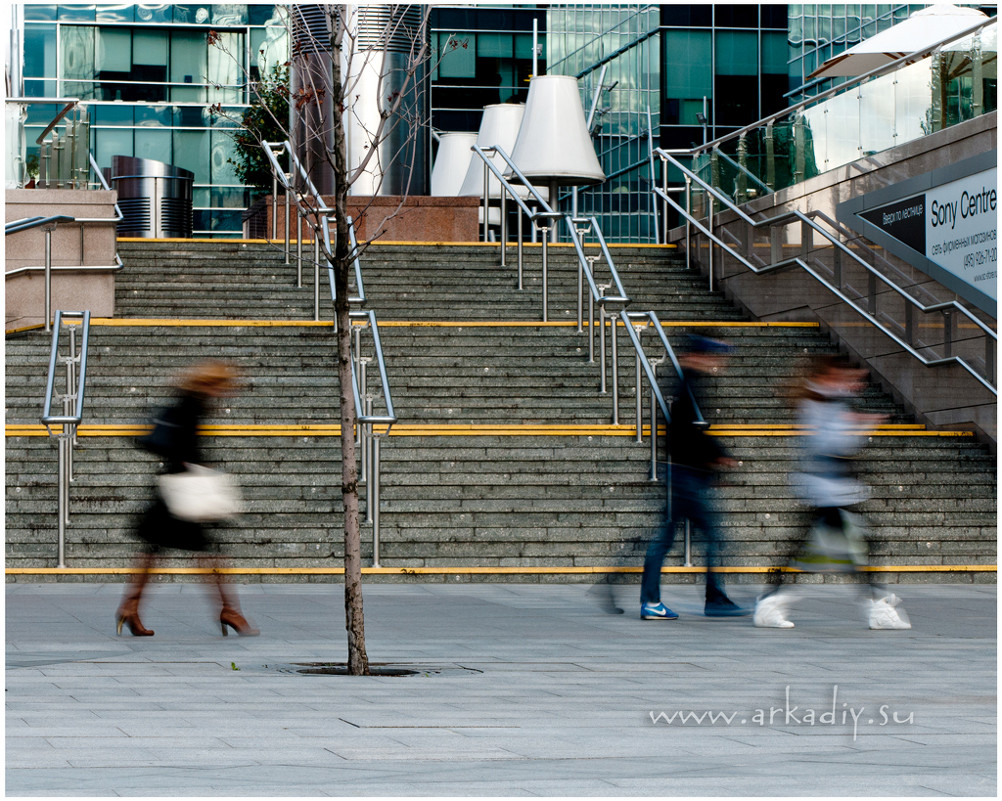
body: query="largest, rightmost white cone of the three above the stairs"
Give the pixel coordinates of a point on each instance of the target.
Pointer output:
(554, 147)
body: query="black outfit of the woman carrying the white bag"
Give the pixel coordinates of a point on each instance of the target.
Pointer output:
(176, 439)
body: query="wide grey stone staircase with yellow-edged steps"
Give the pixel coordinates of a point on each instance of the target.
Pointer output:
(504, 458)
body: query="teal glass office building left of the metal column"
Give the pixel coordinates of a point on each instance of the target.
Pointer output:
(150, 77)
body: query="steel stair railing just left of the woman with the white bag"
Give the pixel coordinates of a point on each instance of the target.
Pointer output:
(76, 363)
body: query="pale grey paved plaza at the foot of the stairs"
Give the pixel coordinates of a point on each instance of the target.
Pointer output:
(520, 690)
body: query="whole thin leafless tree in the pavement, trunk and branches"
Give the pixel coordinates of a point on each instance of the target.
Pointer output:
(340, 65)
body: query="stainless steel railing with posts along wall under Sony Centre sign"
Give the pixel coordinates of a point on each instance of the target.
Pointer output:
(841, 257)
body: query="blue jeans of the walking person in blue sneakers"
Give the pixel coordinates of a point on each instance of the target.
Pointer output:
(692, 499)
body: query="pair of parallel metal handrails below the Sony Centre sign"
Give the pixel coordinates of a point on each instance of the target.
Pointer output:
(806, 220)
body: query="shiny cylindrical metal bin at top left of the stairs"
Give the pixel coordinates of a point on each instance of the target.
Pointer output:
(155, 198)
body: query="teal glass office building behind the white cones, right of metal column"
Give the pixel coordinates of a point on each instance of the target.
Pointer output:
(675, 76)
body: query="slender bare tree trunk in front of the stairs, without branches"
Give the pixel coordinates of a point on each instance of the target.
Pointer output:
(358, 660)
